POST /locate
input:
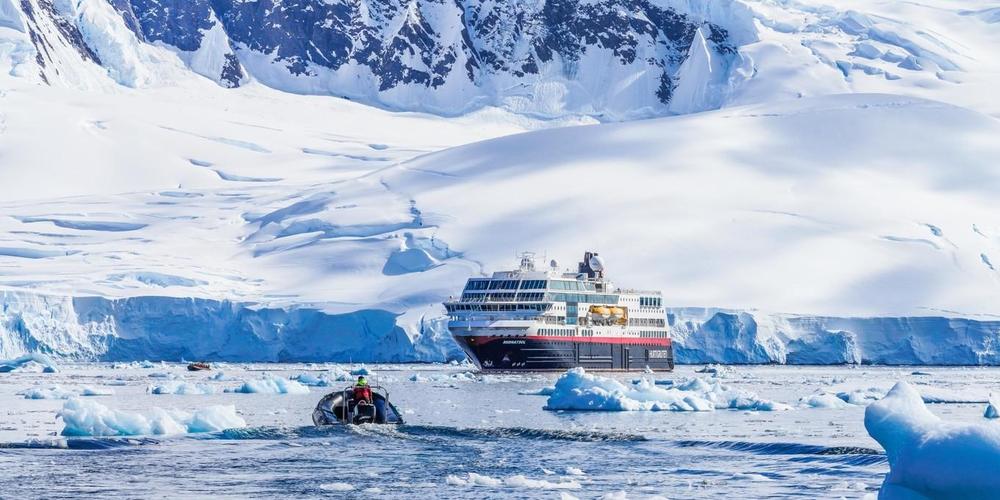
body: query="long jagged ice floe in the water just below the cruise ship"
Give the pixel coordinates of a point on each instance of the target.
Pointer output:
(578, 390)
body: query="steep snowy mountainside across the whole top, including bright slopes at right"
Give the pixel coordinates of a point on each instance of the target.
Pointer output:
(612, 59)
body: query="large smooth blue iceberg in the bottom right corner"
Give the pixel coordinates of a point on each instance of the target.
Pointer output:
(929, 458)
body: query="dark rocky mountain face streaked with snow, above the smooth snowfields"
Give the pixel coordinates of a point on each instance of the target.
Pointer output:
(620, 58)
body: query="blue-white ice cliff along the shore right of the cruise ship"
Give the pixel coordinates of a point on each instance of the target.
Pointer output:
(719, 336)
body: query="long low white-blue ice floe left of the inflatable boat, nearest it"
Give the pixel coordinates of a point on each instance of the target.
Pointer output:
(89, 418)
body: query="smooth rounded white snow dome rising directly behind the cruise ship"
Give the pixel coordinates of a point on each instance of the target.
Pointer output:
(850, 205)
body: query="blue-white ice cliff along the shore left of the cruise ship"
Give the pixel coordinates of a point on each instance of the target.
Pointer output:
(164, 328)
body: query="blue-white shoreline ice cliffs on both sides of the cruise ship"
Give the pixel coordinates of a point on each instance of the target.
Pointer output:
(167, 328)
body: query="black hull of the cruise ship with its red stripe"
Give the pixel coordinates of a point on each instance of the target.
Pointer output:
(530, 353)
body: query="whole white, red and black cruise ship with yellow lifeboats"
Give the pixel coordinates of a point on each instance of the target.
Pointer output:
(533, 320)
